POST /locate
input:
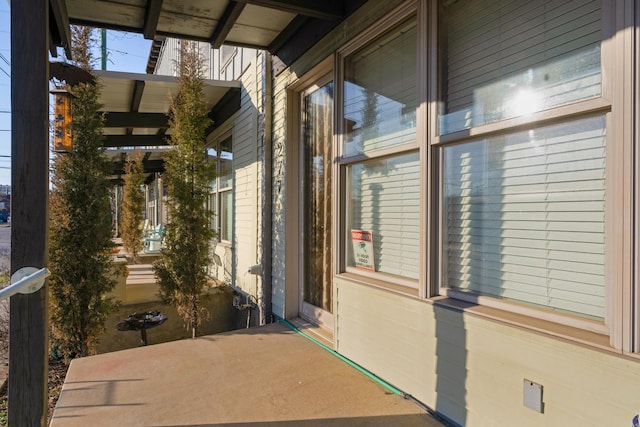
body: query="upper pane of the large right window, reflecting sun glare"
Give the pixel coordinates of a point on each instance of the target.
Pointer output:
(508, 58)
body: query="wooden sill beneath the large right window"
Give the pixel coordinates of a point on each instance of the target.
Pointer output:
(557, 330)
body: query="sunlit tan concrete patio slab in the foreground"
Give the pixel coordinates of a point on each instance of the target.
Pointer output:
(252, 377)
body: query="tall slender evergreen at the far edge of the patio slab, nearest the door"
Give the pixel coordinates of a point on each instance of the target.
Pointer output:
(182, 270)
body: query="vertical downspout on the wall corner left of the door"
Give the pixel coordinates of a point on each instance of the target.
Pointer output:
(267, 215)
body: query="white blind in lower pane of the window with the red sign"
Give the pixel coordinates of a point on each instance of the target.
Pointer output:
(385, 201)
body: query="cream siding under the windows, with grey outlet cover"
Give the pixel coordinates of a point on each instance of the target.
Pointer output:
(472, 369)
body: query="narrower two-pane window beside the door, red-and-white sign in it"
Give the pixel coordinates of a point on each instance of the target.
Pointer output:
(380, 98)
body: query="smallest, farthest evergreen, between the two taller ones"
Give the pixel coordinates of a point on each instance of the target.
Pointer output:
(133, 205)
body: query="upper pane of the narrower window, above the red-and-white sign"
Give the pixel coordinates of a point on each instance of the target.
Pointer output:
(380, 92)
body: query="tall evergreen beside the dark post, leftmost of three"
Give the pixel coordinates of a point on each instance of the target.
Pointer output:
(80, 223)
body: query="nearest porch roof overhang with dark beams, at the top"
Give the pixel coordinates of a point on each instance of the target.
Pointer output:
(285, 28)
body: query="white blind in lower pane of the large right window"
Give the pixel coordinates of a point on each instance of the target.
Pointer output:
(524, 216)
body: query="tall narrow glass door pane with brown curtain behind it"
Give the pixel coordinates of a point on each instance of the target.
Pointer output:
(316, 171)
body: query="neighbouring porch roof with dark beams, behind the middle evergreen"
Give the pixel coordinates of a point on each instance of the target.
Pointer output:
(136, 110)
